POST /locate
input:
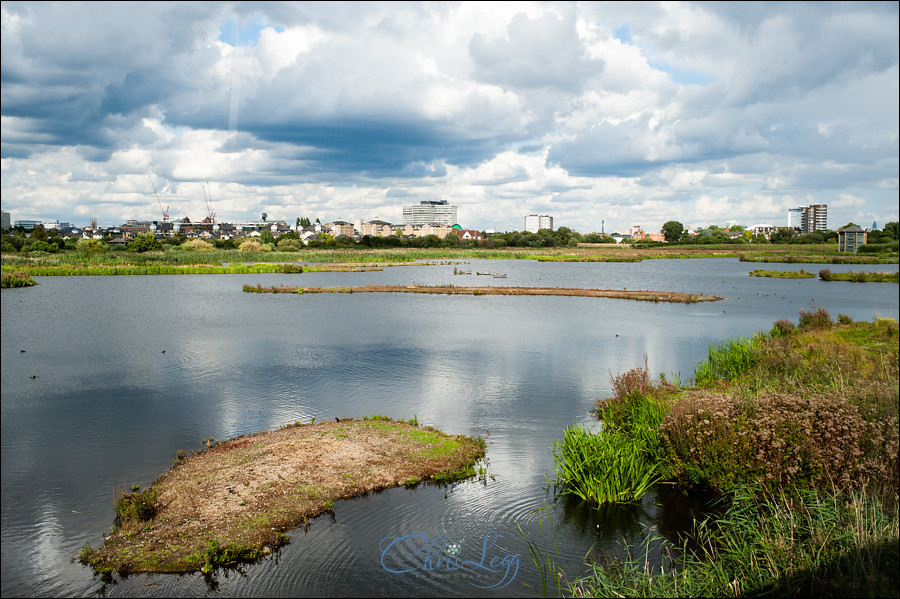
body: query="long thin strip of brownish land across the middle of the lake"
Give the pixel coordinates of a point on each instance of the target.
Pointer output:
(639, 295)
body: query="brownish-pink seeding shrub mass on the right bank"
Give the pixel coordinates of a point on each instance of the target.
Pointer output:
(783, 439)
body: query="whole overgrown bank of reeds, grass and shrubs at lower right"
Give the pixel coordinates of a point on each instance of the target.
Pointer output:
(796, 432)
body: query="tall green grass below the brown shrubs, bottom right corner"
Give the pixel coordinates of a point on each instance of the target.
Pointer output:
(815, 543)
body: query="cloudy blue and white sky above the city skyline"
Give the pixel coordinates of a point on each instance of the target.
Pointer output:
(603, 115)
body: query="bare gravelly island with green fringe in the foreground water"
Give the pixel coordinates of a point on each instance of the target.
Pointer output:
(233, 502)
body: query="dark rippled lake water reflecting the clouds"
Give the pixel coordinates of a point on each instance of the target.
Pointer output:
(131, 369)
